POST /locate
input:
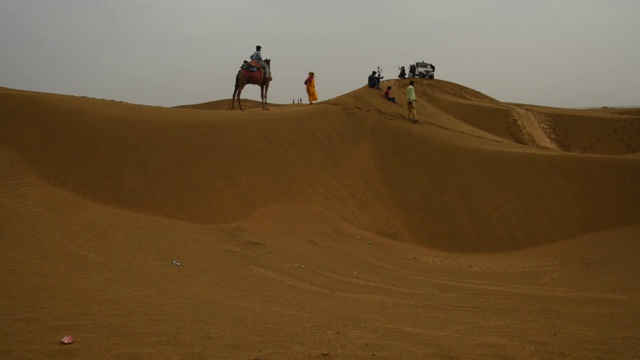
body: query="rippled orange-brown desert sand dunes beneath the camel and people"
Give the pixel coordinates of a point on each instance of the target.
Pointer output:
(337, 230)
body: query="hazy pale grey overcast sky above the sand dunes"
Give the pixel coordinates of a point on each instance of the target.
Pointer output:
(565, 53)
